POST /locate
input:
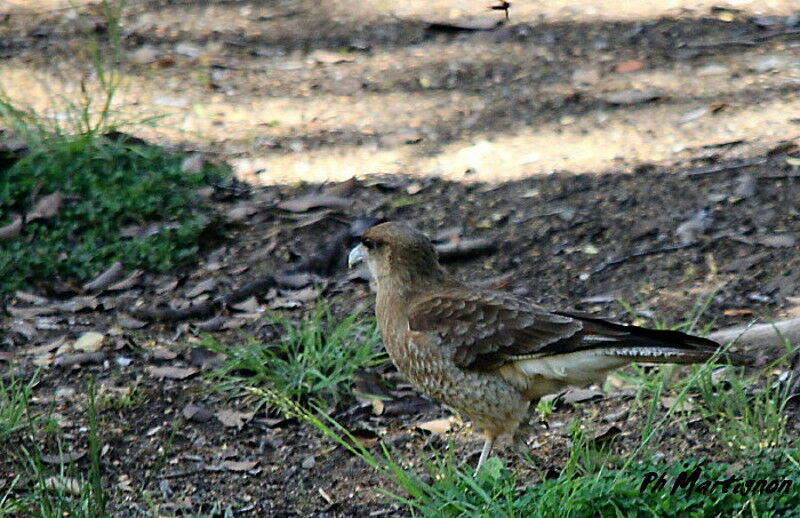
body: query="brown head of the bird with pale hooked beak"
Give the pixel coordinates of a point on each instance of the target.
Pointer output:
(397, 254)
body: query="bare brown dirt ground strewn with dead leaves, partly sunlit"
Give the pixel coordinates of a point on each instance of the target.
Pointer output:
(571, 136)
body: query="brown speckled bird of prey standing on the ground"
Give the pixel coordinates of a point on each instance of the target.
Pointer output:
(492, 355)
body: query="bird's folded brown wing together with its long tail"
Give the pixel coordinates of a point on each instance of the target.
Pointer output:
(489, 329)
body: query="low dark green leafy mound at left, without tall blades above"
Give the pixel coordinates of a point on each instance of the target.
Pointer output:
(107, 186)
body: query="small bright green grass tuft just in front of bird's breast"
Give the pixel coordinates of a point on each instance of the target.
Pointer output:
(312, 361)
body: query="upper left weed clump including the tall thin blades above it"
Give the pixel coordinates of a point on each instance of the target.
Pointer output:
(121, 200)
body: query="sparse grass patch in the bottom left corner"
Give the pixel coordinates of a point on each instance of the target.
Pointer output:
(61, 489)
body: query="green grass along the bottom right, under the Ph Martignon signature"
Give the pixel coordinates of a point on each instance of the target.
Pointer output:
(596, 482)
